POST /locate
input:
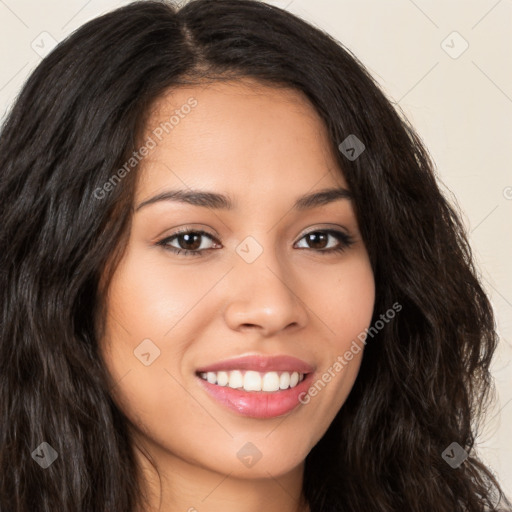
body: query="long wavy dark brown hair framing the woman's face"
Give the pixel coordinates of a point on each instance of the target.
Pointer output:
(424, 381)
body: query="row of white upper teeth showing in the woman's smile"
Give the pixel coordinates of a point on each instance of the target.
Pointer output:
(254, 381)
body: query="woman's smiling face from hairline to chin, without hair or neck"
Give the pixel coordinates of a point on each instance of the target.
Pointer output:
(261, 284)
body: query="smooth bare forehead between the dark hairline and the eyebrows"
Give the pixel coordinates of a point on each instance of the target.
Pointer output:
(237, 134)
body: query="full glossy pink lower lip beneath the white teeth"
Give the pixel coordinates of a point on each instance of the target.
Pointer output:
(258, 404)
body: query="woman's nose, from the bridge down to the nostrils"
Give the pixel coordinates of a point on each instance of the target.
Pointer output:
(265, 295)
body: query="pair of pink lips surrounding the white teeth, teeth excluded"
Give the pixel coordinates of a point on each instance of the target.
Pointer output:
(259, 404)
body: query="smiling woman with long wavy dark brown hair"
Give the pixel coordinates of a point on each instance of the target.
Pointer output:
(230, 280)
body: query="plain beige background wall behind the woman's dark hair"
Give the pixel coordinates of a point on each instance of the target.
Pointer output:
(459, 100)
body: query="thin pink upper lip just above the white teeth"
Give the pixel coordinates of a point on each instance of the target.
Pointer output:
(260, 363)
